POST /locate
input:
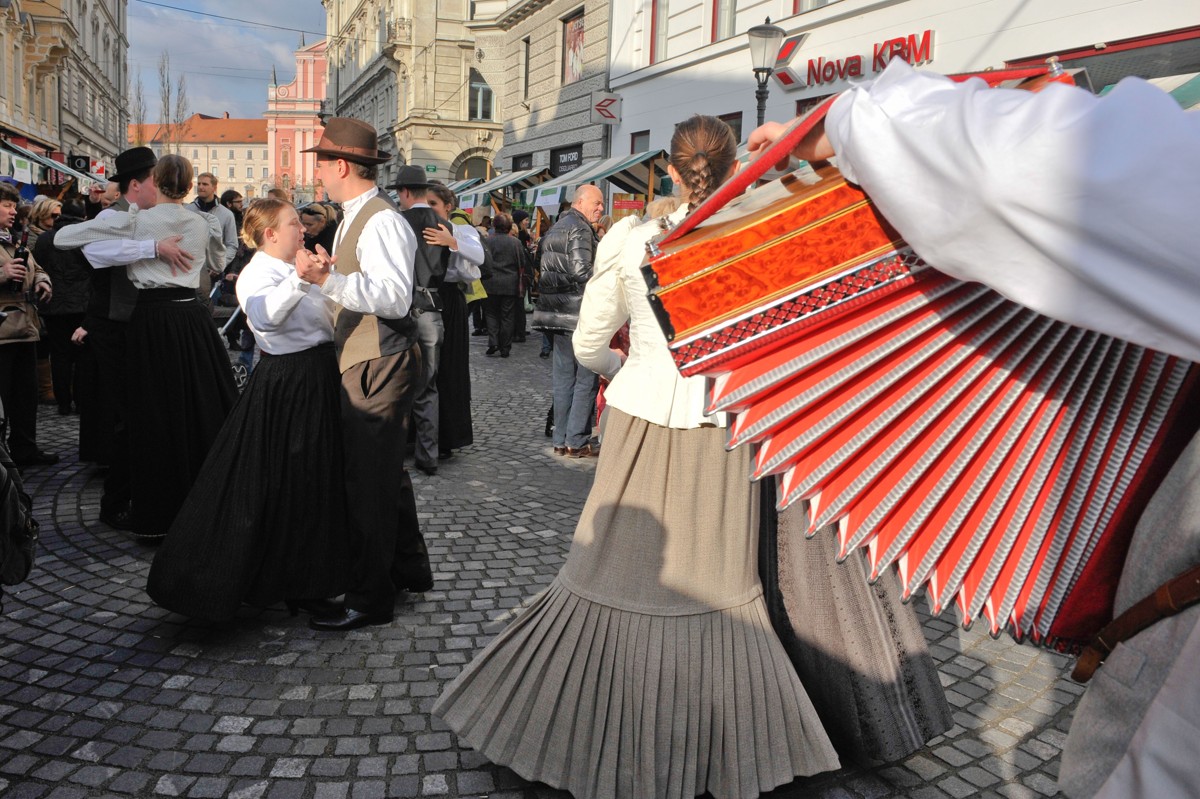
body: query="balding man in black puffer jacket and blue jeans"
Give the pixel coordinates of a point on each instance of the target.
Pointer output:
(566, 257)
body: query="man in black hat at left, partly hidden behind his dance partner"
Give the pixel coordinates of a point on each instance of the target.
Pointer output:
(103, 434)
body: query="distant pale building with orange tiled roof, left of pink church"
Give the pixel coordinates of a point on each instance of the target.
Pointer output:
(236, 151)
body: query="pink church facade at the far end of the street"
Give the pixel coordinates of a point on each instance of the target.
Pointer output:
(293, 125)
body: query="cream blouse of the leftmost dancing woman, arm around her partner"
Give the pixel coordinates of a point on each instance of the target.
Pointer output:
(201, 236)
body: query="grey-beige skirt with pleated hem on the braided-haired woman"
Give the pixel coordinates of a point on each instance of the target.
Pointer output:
(649, 668)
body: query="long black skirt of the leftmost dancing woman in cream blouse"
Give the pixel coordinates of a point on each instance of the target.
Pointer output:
(181, 391)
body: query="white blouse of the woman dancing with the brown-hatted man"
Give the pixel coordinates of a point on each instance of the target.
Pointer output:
(285, 314)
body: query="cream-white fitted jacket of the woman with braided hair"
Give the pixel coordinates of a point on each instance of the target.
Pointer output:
(649, 386)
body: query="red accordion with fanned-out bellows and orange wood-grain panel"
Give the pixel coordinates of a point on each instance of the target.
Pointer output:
(995, 456)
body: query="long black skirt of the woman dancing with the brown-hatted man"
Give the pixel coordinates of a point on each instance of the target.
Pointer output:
(266, 521)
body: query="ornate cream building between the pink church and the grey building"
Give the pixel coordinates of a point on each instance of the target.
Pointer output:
(411, 69)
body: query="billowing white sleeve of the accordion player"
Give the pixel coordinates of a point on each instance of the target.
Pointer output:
(1079, 207)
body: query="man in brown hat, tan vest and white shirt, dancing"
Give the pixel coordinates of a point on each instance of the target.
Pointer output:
(381, 364)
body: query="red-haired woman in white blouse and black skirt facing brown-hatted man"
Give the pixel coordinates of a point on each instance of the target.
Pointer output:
(266, 520)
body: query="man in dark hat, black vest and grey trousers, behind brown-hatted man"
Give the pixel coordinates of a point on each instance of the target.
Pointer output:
(433, 262)
